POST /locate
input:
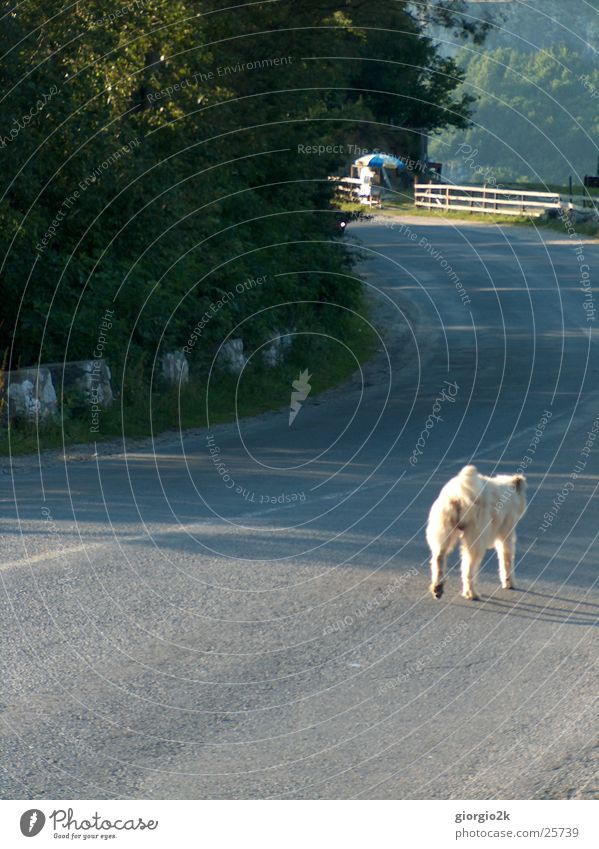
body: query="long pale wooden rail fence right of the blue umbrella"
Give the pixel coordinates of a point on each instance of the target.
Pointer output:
(484, 199)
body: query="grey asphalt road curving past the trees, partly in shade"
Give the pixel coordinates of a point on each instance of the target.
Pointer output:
(166, 636)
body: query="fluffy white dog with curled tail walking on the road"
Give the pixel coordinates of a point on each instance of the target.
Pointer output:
(482, 513)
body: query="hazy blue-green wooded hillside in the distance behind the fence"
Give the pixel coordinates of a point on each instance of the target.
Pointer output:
(537, 115)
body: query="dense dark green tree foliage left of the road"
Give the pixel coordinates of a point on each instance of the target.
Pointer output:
(151, 161)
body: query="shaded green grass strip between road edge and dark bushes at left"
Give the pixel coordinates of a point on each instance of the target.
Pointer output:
(142, 410)
